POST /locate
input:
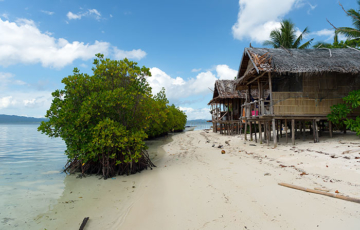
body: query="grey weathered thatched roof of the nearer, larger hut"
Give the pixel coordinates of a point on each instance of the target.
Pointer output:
(281, 60)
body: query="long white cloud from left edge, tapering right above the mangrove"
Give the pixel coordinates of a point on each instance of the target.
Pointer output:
(23, 42)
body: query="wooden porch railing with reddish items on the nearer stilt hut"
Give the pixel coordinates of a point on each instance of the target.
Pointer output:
(256, 108)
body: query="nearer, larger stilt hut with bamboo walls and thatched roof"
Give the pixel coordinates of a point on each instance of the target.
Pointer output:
(302, 86)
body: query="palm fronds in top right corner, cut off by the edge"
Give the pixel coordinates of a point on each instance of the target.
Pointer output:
(351, 33)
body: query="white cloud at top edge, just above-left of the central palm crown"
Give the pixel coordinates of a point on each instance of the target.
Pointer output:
(257, 18)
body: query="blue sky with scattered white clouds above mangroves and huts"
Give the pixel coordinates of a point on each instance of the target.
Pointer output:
(187, 44)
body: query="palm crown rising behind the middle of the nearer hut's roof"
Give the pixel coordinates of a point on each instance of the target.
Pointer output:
(286, 37)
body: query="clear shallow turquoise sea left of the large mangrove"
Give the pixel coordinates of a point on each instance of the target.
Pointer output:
(30, 173)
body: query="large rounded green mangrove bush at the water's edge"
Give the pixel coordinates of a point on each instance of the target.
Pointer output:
(104, 118)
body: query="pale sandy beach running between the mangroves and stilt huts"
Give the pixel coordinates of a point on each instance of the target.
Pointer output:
(197, 187)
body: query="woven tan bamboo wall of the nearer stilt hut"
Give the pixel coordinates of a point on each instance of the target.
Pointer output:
(319, 93)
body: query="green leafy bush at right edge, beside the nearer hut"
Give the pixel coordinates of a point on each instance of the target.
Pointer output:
(339, 113)
